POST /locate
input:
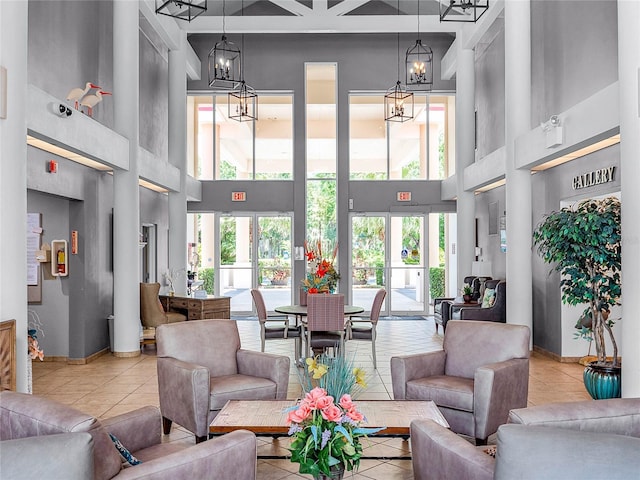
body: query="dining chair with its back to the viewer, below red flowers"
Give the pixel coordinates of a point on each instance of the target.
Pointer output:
(325, 322)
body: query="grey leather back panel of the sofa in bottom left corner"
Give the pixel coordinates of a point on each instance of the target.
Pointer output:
(66, 455)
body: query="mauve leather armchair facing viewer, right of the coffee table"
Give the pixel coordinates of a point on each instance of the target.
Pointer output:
(481, 373)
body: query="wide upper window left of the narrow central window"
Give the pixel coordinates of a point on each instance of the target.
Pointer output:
(225, 149)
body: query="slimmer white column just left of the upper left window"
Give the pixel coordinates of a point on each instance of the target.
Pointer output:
(178, 157)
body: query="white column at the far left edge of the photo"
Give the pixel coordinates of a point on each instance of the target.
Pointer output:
(13, 179)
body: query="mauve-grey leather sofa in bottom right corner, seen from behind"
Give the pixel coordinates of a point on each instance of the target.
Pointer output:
(593, 439)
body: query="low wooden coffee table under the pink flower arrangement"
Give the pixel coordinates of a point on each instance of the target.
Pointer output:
(268, 417)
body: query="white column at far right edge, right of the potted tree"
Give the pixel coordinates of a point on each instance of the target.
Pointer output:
(629, 80)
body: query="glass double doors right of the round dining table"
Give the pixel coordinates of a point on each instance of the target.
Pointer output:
(387, 251)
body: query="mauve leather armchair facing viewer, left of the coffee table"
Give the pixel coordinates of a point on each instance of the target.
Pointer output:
(201, 366)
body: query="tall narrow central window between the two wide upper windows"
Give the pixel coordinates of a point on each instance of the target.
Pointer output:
(321, 150)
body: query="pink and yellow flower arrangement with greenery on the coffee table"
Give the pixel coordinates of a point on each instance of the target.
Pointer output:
(326, 424)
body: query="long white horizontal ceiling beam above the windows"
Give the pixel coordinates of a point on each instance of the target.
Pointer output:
(321, 24)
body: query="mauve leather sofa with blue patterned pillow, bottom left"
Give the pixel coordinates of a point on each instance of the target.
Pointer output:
(23, 416)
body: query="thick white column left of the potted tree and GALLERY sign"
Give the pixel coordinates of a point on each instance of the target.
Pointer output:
(517, 41)
